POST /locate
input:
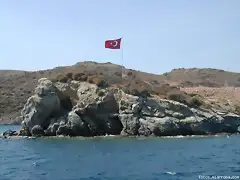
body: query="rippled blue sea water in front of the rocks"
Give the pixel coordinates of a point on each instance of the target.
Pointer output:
(118, 158)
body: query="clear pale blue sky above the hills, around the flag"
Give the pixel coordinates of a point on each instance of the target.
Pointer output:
(158, 35)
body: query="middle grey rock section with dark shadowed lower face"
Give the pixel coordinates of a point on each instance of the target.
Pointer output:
(98, 109)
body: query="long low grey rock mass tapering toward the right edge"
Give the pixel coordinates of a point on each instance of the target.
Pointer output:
(158, 117)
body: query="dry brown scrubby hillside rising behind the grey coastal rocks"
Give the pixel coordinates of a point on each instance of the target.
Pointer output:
(17, 86)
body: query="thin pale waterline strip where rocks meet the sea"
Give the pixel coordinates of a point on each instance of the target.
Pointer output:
(120, 137)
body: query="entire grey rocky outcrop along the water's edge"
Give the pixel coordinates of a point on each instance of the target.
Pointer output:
(83, 109)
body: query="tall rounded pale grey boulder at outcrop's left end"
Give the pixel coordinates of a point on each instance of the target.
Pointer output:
(46, 104)
